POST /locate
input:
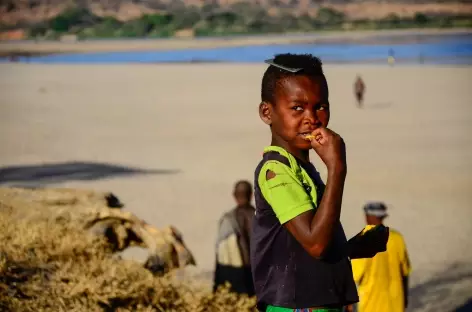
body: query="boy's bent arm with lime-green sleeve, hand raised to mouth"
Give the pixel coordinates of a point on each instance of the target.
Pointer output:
(314, 231)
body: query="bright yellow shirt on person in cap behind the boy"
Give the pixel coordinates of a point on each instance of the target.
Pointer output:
(379, 279)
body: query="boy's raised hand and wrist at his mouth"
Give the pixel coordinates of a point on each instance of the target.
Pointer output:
(330, 147)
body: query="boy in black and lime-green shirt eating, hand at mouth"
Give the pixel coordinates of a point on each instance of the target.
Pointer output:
(299, 253)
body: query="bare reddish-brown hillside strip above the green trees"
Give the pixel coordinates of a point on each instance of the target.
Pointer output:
(23, 12)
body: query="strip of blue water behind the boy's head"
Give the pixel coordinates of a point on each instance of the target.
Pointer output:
(449, 49)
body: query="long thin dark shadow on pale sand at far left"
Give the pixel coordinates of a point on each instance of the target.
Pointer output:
(69, 171)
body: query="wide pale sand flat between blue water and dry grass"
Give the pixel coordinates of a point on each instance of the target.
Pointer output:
(197, 126)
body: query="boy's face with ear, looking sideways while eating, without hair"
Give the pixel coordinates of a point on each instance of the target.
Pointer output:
(301, 105)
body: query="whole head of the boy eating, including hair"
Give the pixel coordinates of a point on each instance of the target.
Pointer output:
(294, 99)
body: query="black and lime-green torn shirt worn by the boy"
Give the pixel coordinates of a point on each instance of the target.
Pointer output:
(284, 274)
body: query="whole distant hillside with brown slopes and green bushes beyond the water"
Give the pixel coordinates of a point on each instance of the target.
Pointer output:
(164, 18)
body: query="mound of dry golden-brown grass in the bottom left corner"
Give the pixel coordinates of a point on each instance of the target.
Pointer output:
(49, 266)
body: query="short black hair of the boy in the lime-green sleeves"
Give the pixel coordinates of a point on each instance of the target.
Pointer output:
(308, 64)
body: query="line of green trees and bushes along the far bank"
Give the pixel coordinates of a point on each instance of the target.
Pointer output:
(211, 21)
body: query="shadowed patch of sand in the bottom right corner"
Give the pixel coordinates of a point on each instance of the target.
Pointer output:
(447, 291)
